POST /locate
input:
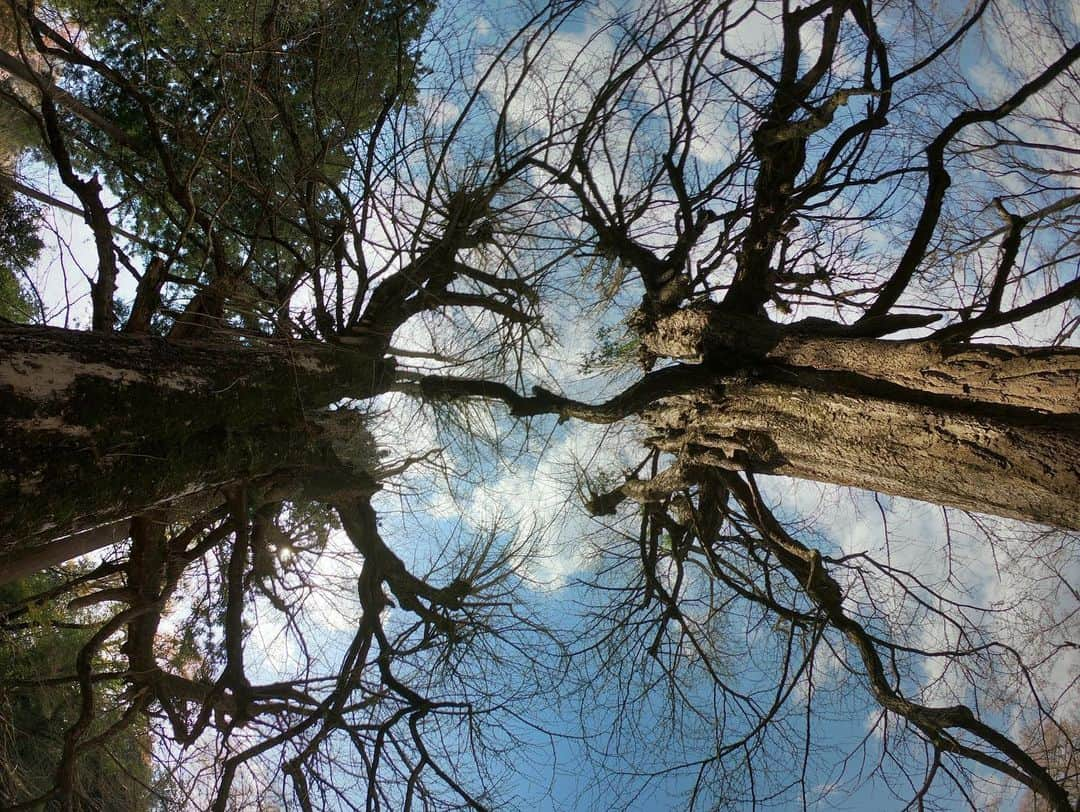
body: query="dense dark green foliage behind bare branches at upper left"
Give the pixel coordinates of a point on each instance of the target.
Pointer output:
(259, 110)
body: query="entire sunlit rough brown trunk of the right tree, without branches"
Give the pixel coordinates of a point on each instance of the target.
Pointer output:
(984, 428)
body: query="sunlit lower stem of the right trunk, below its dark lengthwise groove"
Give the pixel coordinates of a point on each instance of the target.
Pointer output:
(990, 466)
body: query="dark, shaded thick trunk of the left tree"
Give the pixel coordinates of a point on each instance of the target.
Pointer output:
(96, 428)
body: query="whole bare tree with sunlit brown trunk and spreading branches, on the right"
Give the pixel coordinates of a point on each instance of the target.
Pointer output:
(775, 278)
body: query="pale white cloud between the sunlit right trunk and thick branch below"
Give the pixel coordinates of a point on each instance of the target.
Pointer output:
(1011, 585)
